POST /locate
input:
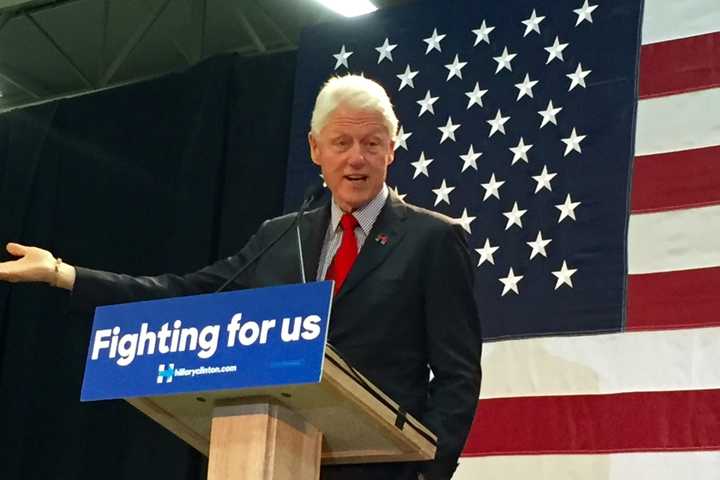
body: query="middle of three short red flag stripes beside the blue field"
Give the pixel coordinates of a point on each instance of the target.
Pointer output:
(675, 180)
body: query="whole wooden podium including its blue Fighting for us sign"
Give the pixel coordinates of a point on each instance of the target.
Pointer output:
(319, 409)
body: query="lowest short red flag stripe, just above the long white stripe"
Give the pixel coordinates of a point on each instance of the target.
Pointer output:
(680, 299)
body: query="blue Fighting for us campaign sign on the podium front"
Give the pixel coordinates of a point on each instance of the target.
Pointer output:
(248, 338)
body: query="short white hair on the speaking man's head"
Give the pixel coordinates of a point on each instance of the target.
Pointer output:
(356, 92)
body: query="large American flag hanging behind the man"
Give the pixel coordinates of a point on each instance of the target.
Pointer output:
(518, 118)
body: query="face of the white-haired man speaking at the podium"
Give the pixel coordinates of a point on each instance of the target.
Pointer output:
(353, 151)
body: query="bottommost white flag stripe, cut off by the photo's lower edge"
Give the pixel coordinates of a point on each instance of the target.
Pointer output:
(620, 466)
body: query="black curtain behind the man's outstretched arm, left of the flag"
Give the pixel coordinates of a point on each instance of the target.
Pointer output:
(162, 176)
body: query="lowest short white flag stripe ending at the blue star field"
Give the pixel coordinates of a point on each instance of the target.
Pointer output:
(674, 240)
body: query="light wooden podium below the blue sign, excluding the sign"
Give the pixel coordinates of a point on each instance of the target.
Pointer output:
(287, 432)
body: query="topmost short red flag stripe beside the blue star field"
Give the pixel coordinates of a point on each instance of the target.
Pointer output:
(678, 66)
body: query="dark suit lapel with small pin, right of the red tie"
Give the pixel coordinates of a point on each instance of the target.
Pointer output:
(386, 234)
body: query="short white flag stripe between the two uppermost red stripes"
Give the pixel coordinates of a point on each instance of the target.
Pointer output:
(678, 122)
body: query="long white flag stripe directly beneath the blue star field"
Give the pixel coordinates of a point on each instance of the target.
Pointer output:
(601, 364)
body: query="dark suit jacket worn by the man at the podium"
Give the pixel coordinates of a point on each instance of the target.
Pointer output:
(406, 305)
